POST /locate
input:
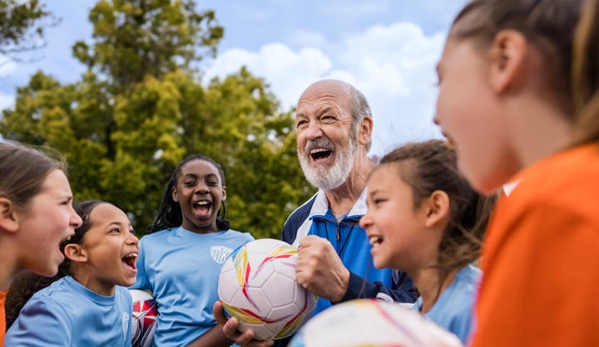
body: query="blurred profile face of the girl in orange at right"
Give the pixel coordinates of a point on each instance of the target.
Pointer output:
(473, 117)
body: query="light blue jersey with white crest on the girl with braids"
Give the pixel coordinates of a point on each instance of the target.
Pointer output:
(181, 269)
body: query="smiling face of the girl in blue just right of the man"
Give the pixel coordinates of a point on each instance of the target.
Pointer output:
(396, 228)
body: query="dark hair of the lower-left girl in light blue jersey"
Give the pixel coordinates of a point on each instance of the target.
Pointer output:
(28, 283)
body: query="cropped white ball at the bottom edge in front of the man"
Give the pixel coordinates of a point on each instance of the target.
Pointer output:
(372, 323)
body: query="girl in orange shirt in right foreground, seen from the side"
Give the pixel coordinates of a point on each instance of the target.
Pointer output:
(540, 253)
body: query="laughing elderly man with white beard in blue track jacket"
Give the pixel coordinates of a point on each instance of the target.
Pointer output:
(334, 129)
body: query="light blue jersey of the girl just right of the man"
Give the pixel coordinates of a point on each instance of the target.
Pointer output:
(454, 310)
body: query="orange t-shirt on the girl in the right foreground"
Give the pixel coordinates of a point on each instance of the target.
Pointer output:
(541, 257)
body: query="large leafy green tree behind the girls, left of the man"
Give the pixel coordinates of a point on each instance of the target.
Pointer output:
(140, 108)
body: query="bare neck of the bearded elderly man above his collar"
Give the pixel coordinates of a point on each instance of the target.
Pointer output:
(343, 198)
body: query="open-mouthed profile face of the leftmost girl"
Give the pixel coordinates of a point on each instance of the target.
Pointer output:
(49, 219)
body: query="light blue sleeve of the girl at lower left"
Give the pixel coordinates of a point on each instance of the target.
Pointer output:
(40, 323)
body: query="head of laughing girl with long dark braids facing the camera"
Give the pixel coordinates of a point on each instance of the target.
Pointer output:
(199, 192)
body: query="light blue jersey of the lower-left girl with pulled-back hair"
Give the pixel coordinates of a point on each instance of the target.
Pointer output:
(68, 314)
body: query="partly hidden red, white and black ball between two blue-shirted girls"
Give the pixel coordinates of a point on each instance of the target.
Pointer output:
(143, 324)
